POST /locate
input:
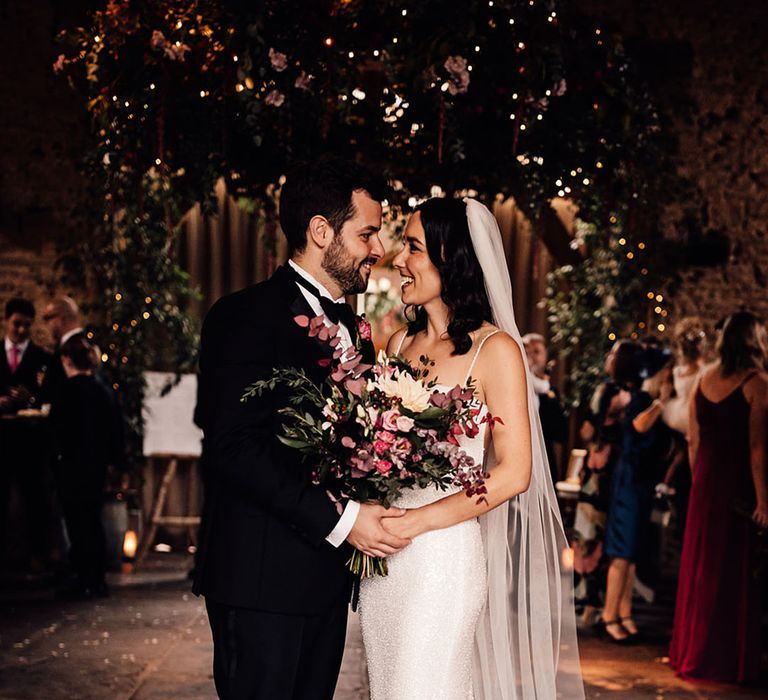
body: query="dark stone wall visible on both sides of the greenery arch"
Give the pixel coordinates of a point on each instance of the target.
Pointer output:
(703, 58)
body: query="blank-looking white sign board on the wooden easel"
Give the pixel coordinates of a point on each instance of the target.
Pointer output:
(168, 424)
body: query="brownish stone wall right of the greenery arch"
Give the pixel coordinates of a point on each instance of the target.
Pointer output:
(706, 62)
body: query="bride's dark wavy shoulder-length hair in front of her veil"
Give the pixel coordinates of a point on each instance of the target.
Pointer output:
(450, 249)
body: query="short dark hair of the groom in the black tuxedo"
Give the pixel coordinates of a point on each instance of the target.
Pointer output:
(324, 187)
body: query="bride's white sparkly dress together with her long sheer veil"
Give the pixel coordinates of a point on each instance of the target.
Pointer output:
(483, 609)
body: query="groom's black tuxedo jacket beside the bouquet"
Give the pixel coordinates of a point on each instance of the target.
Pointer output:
(264, 525)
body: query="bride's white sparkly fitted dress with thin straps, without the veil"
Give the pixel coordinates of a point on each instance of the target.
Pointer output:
(419, 622)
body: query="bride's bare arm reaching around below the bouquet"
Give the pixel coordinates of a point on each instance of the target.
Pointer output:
(500, 371)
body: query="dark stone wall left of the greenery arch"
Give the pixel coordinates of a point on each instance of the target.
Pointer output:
(43, 130)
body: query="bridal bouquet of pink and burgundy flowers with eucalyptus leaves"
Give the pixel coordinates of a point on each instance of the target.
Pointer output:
(373, 431)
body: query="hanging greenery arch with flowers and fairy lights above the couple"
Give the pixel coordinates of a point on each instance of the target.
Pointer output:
(515, 97)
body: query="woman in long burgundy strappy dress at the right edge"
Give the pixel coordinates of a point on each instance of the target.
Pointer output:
(716, 633)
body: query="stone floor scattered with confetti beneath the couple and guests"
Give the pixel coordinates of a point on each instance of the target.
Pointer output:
(150, 641)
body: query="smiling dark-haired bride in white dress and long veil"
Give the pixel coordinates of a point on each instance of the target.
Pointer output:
(478, 606)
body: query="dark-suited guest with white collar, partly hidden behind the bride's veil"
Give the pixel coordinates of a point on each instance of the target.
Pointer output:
(554, 424)
